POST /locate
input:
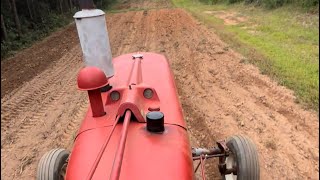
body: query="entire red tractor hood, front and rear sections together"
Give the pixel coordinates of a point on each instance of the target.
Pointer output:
(141, 84)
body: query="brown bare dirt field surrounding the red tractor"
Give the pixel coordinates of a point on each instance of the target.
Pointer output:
(220, 95)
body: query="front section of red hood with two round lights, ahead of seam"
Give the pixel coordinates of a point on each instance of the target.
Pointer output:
(133, 76)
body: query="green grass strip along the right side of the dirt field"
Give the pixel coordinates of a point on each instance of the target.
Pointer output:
(283, 43)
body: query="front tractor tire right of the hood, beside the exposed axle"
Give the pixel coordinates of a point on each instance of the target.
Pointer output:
(244, 157)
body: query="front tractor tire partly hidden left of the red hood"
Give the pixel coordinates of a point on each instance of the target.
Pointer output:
(52, 165)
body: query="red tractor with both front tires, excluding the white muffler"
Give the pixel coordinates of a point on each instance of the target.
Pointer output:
(135, 130)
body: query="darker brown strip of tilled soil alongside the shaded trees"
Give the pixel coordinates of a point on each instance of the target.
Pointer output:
(30, 62)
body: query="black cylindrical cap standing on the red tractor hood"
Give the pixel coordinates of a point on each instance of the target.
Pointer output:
(155, 121)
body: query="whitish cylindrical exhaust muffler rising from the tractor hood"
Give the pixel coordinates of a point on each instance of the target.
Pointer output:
(94, 39)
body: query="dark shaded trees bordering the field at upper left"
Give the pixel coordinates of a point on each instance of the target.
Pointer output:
(24, 21)
